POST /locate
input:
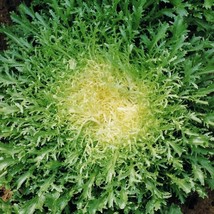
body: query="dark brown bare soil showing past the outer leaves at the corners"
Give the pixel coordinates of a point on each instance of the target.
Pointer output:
(194, 204)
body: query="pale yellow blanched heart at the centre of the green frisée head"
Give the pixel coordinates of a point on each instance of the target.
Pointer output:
(106, 105)
